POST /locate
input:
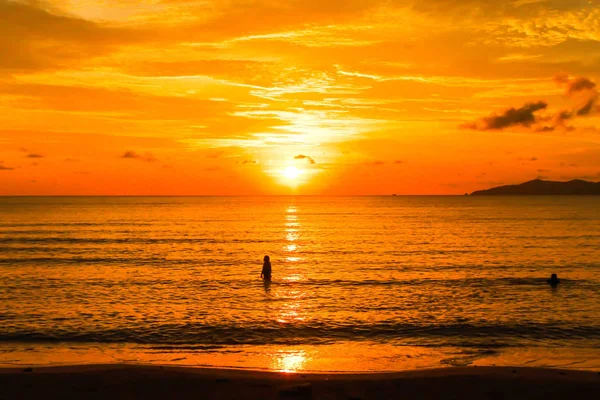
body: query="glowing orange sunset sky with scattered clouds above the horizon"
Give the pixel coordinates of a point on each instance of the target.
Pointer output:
(337, 97)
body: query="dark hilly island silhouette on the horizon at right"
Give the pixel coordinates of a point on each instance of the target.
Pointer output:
(540, 187)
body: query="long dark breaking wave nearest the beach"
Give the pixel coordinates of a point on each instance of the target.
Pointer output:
(457, 334)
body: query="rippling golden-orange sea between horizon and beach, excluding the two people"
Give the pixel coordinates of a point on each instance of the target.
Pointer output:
(359, 283)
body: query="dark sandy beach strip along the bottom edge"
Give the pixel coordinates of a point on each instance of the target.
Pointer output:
(154, 382)
